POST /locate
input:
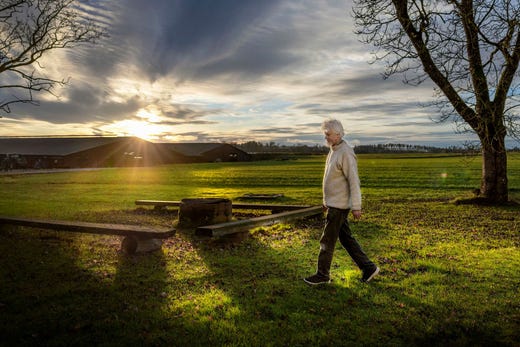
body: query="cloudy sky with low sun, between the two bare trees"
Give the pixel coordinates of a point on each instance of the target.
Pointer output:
(228, 71)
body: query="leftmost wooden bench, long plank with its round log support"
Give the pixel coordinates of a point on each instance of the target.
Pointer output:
(136, 239)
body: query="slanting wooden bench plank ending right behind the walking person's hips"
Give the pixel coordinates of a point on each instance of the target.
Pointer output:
(247, 224)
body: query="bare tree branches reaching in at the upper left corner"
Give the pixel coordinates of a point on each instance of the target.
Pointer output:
(29, 29)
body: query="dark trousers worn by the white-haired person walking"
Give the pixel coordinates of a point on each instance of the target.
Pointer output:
(337, 226)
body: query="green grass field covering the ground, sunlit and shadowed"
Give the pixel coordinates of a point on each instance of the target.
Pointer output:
(449, 271)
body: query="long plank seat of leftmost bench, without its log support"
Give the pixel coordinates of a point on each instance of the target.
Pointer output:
(92, 228)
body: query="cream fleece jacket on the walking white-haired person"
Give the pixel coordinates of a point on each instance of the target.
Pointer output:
(341, 186)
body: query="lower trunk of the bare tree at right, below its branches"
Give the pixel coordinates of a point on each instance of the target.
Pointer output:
(493, 184)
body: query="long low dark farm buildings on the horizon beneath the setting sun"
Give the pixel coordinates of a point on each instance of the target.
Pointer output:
(96, 151)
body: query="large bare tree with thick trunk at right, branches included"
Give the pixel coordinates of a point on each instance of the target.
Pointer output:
(470, 50)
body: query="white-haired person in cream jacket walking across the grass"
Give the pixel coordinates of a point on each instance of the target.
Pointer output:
(341, 194)
